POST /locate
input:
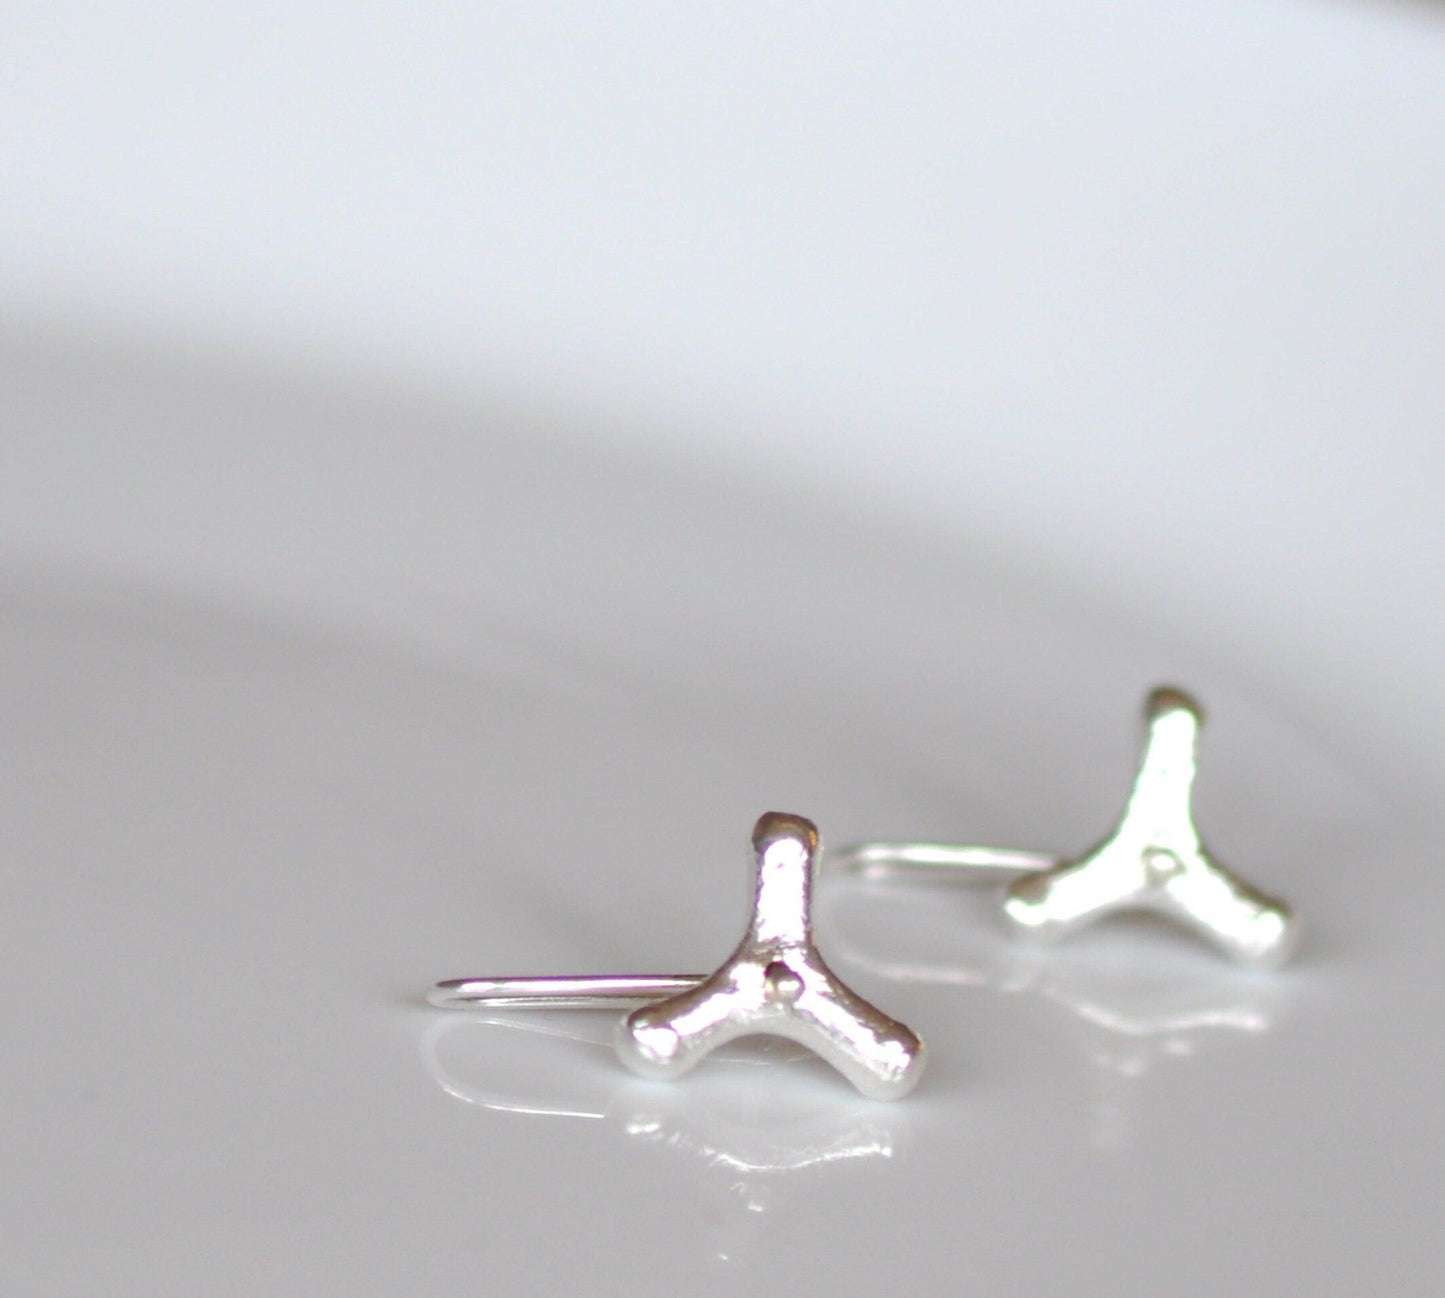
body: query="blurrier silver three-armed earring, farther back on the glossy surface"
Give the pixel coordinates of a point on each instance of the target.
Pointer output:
(1154, 859)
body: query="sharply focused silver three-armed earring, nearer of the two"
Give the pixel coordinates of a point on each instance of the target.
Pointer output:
(774, 984)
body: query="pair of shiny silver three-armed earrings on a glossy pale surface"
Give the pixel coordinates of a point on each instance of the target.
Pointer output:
(778, 984)
